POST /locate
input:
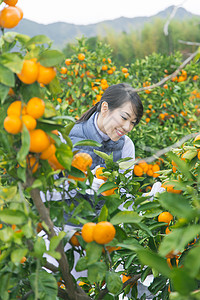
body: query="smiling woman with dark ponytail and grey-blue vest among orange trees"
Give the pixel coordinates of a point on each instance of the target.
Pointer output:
(108, 122)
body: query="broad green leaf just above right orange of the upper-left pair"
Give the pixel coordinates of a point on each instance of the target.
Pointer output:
(50, 58)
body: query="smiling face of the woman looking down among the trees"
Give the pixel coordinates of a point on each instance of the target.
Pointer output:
(117, 122)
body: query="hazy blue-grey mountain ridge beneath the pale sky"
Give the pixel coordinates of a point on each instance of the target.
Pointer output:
(61, 33)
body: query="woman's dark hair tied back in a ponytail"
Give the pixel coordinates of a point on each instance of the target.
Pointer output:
(116, 95)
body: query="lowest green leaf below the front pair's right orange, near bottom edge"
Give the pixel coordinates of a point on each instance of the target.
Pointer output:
(113, 282)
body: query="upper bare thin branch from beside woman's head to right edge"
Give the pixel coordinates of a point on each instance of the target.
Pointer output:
(162, 81)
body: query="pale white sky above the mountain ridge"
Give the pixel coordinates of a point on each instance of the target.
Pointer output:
(84, 12)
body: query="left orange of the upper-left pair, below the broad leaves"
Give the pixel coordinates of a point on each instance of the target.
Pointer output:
(29, 72)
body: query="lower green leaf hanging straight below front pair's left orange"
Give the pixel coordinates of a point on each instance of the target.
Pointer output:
(97, 272)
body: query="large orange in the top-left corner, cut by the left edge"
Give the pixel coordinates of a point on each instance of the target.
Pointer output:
(9, 17)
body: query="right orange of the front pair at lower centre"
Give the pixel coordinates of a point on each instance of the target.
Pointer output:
(104, 232)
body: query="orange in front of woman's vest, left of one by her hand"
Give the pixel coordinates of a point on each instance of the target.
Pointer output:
(82, 161)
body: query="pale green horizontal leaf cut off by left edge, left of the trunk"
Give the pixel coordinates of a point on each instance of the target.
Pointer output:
(12, 216)
